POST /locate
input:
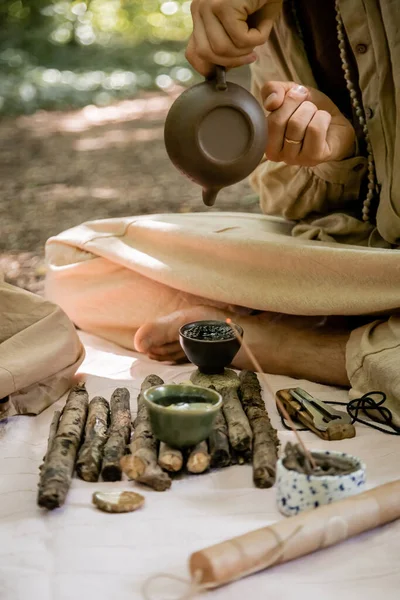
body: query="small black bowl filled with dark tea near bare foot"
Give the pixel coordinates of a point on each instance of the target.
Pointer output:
(210, 345)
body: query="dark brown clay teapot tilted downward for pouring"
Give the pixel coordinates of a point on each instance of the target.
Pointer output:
(215, 133)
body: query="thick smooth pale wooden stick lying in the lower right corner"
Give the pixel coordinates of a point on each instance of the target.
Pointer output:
(296, 536)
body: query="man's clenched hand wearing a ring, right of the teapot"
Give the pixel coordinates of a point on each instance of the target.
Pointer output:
(304, 126)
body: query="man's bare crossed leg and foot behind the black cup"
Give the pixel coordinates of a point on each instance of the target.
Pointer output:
(302, 347)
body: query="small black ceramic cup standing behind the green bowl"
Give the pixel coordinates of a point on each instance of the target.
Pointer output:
(210, 356)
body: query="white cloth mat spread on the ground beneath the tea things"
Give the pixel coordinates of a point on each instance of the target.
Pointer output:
(80, 553)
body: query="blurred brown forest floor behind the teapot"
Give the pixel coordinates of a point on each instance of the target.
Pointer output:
(59, 169)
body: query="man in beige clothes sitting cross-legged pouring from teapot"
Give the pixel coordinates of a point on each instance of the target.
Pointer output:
(322, 293)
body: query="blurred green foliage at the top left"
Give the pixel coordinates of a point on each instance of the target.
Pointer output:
(63, 54)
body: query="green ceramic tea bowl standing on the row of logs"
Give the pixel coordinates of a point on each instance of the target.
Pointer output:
(182, 415)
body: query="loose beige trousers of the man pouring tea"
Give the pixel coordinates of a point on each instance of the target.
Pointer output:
(111, 276)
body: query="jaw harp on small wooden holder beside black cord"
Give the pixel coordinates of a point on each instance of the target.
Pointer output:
(325, 421)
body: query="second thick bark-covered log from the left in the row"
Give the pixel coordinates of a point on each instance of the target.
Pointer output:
(90, 455)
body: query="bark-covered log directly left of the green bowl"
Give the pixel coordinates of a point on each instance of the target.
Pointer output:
(142, 464)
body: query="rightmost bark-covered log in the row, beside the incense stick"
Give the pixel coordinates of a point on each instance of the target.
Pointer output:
(265, 437)
